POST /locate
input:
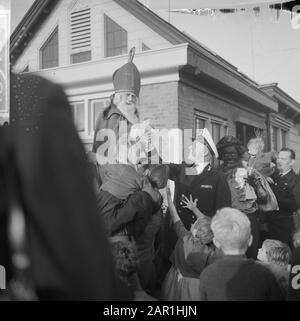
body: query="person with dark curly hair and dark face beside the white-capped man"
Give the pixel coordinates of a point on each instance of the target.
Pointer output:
(243, 195)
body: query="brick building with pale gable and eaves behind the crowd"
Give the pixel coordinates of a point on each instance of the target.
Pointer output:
(80, 43)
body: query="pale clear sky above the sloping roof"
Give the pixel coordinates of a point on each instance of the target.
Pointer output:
(263, 48)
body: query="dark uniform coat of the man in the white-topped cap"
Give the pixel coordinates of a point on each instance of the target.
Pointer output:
(209, 187)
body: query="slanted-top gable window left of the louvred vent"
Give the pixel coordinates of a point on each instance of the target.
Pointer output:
(49, 51)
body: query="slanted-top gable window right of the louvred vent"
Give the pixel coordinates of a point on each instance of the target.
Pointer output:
(115, 38)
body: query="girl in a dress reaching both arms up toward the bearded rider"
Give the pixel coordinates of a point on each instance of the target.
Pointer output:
(194, 250)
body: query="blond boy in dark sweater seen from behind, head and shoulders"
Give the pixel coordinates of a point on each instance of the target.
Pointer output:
(234, 277)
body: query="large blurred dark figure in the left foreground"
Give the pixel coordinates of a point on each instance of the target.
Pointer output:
(66, 242)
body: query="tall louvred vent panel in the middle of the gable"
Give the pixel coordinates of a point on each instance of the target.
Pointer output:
(80, 35)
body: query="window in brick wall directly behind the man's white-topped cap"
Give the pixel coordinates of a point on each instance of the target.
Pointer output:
(216, 126)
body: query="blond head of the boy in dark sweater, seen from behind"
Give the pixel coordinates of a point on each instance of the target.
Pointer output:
(232, 231)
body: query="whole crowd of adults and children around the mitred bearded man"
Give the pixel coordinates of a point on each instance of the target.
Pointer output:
(75, 228)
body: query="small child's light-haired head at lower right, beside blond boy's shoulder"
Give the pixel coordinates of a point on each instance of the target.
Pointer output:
(275, 252)
